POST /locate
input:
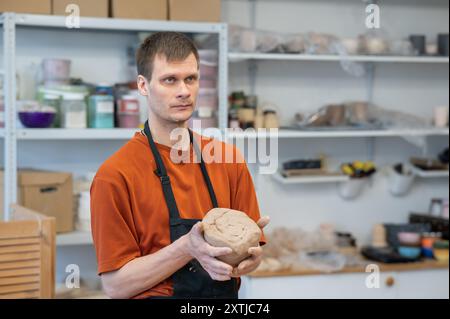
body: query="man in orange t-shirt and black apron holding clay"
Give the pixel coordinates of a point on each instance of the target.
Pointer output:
(146, 208)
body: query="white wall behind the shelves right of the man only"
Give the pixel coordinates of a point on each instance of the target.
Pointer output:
(306, 86)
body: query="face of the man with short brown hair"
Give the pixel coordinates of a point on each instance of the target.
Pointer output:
(173, 89)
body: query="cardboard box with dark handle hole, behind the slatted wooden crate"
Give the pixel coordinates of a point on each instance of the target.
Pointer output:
(50, 193)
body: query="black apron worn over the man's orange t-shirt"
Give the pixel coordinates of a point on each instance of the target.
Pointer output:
(191, 281)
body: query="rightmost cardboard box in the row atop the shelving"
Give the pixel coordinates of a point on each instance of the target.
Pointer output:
(194, 10)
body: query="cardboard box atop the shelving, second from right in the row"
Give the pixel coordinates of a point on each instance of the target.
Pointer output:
(139, 9)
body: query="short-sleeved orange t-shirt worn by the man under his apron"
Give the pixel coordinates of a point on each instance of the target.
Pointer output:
(130, 218)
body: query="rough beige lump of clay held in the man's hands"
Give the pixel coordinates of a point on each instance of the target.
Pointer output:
(225, 227)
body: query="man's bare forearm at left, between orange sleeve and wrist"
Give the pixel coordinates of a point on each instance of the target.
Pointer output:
(145, 272)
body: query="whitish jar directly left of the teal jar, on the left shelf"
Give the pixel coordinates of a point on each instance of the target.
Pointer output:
(74, 111)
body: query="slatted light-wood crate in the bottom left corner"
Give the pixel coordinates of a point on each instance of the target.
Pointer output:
(27, 255)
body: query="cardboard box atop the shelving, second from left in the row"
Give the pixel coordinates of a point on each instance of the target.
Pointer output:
(88, 8)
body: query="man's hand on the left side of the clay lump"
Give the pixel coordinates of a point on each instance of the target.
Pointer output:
(206, 254)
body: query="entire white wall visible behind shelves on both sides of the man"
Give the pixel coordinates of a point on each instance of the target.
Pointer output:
(294, 87)
